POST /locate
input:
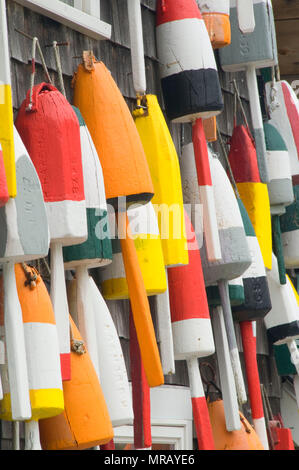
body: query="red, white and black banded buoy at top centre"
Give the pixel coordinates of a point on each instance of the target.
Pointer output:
(190, 82)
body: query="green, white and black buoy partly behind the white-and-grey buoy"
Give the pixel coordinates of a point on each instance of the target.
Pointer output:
(257, 296)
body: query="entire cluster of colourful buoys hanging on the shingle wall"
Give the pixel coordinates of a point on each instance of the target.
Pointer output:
(103, 153)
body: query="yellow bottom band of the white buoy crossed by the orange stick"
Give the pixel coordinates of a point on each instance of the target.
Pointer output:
(151, 262)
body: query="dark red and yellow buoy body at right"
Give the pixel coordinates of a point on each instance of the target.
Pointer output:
(253, 192)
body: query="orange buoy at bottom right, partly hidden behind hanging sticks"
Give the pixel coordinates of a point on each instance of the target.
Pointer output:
(244, 439)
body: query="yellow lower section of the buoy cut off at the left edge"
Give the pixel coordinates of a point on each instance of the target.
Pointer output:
(7, 138)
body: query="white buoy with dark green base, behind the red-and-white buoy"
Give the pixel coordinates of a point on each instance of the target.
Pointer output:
(97, 250)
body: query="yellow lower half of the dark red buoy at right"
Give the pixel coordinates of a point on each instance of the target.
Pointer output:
(255, 198)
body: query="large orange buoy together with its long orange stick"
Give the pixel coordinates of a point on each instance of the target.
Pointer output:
(127, 181)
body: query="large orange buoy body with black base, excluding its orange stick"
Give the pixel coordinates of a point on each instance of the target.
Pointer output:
(105, 111)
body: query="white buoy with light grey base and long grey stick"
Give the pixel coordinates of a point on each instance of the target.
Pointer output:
(236, 258)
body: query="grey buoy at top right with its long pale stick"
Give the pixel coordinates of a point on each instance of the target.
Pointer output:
(248, 52)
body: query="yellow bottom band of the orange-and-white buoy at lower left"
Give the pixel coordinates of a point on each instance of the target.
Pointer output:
(44, 404)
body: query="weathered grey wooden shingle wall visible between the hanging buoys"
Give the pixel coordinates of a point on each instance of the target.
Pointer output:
(115, 53)
